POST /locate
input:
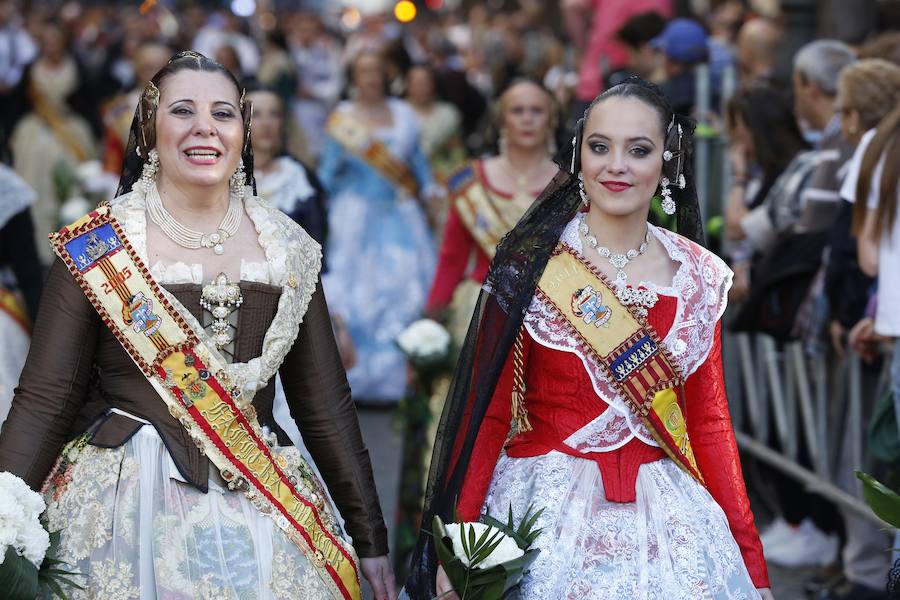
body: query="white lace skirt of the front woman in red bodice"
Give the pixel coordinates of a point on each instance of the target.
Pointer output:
(673, 543)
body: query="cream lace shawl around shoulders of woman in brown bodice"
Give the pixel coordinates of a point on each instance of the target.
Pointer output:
(294, 260)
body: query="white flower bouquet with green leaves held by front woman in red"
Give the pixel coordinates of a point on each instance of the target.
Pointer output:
(486, 560)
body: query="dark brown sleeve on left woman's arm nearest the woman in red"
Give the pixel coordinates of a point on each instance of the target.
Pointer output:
(318, 397)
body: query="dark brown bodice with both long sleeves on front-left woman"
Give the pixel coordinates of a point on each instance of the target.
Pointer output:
(77, 371)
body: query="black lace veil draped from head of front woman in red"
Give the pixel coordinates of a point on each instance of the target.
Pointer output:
(506, 294)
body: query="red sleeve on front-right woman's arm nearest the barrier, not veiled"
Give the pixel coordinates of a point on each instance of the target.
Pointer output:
(712, 438)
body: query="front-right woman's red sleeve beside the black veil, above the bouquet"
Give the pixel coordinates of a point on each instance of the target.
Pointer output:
(489, 441)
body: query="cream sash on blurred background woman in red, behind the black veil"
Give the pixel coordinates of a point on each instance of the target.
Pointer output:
(487, 218)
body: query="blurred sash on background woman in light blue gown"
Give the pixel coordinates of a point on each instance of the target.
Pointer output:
(359, 141)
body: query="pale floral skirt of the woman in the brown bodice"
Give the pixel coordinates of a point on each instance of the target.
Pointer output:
(135, 530)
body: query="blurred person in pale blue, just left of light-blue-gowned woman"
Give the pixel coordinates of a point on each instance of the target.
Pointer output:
(320, 79)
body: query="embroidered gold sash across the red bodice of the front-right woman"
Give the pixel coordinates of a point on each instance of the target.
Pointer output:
(637, 364)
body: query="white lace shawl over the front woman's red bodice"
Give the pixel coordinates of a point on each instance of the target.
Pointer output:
(700, 286)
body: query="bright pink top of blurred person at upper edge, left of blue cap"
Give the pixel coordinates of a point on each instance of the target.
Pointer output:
(592, 27)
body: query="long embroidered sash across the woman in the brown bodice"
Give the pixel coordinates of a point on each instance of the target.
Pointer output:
(193, 384)
